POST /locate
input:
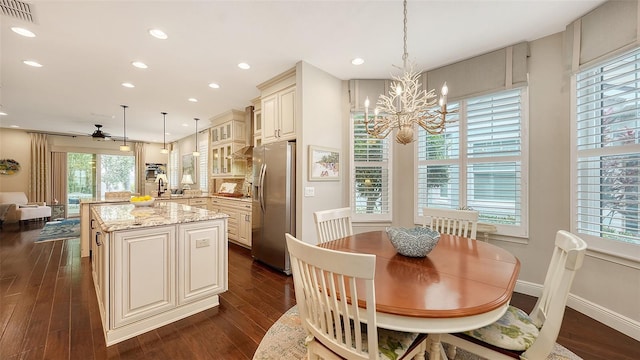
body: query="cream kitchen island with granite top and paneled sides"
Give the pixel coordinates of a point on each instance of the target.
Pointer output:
(154, 265)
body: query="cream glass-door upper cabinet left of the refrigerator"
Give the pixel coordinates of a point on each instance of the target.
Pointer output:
(228, 135)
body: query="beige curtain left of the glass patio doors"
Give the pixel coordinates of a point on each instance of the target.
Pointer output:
(38, 181)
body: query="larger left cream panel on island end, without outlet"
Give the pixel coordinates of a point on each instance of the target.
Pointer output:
(145, 273)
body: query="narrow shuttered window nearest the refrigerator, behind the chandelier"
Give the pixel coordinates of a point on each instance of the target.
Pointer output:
(370, 174)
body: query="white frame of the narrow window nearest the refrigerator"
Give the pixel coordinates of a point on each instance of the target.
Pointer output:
(359, 217)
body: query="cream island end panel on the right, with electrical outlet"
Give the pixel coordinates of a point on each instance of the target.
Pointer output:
(198, 276)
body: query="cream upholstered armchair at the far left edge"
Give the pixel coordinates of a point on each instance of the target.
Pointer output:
(17, 207)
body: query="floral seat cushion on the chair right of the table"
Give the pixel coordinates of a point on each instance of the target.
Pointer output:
(513, 331)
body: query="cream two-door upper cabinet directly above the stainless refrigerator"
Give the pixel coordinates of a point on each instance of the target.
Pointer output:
(278, 108)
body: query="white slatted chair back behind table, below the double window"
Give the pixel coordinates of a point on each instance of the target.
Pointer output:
(452, 222)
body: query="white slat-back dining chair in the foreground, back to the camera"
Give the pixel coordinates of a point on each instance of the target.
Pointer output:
(328, 300)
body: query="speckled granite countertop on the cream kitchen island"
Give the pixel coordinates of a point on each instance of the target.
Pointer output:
(114, 217)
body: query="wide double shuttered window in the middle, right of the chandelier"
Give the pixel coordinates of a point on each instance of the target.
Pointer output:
(479, 162)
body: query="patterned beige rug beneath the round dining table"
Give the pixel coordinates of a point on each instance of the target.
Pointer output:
(285, 340)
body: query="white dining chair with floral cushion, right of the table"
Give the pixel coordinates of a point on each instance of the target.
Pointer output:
(532, 336)
